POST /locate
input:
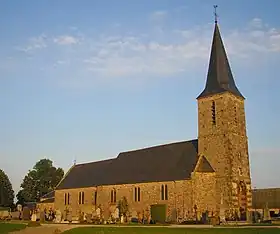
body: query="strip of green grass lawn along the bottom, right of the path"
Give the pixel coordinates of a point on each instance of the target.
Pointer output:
(162, 230)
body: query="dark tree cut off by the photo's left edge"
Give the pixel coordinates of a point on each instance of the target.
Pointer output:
(6, 191)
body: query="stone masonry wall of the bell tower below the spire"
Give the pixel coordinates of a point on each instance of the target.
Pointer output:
(225, 144)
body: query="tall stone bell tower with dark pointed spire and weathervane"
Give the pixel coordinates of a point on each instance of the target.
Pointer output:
(222, 137)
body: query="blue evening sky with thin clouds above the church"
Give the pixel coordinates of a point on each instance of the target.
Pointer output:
(84, 80)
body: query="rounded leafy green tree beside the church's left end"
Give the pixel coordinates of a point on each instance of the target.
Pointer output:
(39, 181)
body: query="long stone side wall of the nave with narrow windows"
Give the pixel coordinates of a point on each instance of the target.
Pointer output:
(179, 197)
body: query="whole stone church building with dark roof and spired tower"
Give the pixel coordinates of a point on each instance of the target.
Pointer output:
(210, 173)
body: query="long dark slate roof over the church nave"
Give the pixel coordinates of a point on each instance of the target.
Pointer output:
(167, 162)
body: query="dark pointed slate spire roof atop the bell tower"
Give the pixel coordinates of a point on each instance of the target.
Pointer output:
(219, 77)
